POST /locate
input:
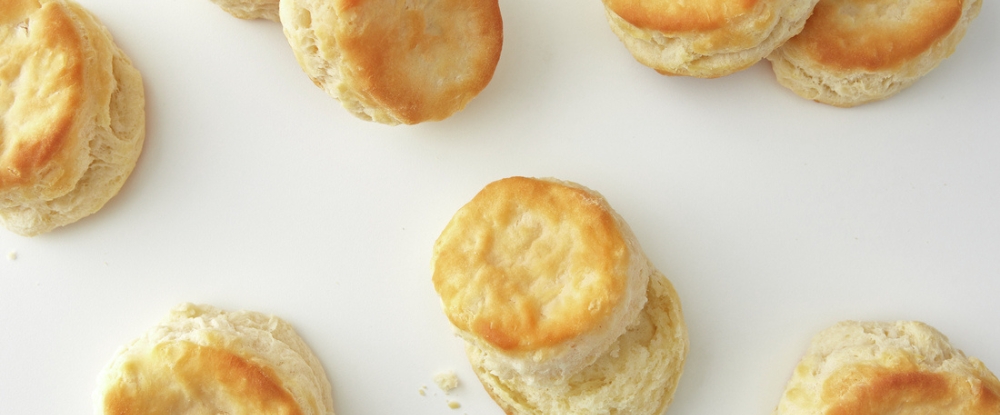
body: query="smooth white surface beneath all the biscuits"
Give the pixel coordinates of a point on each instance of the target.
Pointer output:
(774, 216)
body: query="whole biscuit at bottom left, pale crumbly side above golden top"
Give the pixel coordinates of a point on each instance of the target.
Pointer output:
(204, 361)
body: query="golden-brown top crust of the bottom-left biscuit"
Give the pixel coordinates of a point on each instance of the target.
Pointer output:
(185, 378)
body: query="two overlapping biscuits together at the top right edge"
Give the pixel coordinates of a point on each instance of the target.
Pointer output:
(839, 52)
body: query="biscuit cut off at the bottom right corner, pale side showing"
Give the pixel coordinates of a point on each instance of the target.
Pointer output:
(875, 368)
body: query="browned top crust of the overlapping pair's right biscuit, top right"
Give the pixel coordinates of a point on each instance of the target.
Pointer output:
(874, 34)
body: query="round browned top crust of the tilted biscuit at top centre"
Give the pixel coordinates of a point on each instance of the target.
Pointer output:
(420, 59)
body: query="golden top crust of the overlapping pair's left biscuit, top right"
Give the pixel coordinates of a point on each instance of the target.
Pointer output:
(678, 16)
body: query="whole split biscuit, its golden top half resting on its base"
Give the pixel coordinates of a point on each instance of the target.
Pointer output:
(545, 283)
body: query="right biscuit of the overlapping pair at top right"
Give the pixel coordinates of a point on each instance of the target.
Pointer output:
(853, 52)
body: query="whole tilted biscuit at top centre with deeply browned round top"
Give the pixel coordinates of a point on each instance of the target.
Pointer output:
(396, 61)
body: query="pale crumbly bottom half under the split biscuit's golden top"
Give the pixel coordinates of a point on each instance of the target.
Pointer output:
(638, 376)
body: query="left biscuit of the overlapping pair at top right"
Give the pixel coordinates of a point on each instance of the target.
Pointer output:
(705, 38)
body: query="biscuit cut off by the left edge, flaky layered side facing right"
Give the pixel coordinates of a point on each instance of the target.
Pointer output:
(72, 118)
